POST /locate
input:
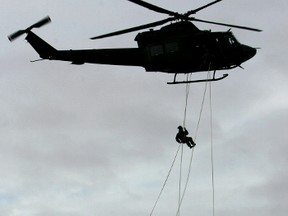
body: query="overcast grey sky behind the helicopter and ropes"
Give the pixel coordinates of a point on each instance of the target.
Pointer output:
(99, 140)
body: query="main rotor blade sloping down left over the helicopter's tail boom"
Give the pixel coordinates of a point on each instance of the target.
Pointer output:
(137, 28)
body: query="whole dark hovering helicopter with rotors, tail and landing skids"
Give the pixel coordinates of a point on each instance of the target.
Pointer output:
(177, 48)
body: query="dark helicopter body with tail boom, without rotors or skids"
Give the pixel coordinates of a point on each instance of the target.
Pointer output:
(176, 48)
